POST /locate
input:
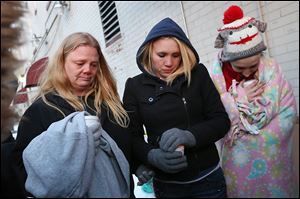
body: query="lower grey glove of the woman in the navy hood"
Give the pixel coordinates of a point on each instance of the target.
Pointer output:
(169, 162)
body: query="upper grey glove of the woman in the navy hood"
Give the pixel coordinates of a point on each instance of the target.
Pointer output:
(174, 137)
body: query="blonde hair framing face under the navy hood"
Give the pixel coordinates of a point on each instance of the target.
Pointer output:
(188, 60)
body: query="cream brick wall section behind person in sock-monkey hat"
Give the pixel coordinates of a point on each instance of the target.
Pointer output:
(282, 35)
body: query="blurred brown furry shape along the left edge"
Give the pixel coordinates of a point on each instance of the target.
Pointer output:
(11, 31)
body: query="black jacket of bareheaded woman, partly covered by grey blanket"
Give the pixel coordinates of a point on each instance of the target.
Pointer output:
(38, 117)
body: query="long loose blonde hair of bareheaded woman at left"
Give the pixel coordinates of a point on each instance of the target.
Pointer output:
(54, 79)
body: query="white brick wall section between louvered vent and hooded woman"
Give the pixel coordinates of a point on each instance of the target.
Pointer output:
(136, 19)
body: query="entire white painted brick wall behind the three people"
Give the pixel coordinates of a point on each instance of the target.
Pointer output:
(202, 19)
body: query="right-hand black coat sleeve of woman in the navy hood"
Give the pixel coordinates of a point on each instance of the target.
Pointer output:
(217, 122)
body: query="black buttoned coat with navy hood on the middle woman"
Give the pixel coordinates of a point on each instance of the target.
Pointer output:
(159, 107)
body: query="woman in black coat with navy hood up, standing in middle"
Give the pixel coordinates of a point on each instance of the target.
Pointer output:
(176, 101)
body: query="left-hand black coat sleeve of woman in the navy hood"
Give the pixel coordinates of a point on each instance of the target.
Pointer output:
(139, 146)
